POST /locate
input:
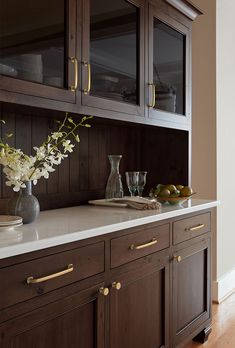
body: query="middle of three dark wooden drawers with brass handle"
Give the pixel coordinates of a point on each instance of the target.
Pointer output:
(133, 246)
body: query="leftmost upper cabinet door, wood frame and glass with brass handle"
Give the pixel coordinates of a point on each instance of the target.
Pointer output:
(37, 43)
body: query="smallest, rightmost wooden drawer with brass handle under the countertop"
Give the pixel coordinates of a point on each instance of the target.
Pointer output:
(191, 227)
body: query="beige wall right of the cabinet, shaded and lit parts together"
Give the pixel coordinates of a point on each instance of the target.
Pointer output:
(213, 144)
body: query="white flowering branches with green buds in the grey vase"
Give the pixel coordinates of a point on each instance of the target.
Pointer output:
(19, 167)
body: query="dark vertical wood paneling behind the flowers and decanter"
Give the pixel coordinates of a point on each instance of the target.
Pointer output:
(162, 152)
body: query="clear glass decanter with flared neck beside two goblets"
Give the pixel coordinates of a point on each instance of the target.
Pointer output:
(114, 188)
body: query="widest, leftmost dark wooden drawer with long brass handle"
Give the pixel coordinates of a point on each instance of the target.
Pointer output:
(61, 269)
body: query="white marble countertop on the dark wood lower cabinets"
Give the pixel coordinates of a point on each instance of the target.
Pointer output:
(60, 226)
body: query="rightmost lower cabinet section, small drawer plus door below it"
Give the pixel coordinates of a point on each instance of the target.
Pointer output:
(191, 278)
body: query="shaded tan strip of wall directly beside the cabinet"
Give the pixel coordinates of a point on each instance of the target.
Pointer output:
(204, 107)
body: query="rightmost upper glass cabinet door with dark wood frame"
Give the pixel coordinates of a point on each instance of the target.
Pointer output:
(168, 68)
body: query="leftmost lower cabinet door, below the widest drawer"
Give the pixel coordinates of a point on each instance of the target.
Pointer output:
(76, 321)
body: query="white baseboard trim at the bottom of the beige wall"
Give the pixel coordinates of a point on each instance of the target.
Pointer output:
(223, 287)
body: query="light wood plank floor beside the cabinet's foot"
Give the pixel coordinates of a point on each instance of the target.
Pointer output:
(223, 326)
